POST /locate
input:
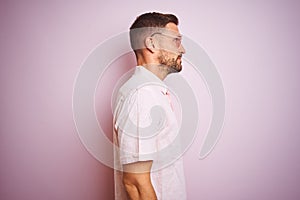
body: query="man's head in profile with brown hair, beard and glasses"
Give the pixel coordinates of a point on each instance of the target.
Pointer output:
(156, 40)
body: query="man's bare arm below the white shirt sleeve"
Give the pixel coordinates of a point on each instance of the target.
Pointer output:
(137, 181)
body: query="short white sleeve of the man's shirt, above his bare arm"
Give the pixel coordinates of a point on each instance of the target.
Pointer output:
(139, 121)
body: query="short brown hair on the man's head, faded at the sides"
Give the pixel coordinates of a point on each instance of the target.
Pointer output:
(139, 29)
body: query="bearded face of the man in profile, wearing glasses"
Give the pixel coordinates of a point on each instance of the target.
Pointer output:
(171, 49)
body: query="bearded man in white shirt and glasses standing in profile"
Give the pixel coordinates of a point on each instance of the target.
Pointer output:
(145, 125)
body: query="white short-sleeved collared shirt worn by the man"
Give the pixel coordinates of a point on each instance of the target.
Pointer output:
(145, 125)
